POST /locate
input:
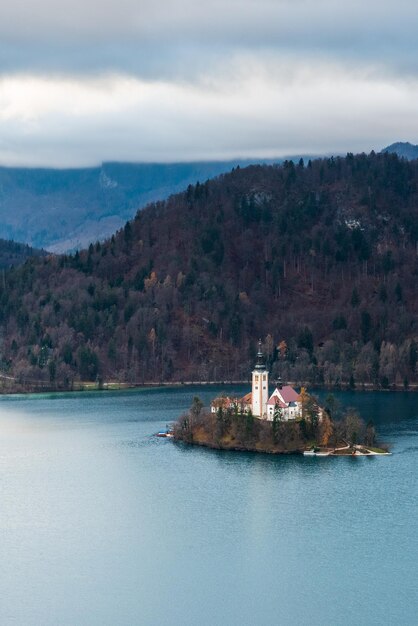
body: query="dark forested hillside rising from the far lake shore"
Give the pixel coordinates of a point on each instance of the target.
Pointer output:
(319, 259)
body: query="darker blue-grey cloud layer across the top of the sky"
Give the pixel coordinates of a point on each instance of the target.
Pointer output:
(182, 36)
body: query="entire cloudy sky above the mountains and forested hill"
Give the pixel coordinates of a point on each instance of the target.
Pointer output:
(86, 81)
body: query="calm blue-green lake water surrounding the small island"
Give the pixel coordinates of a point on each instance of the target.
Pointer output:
(102, 523)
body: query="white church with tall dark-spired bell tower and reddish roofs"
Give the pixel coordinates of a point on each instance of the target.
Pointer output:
(262, 405)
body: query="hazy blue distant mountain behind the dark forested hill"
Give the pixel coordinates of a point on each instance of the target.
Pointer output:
(62, 210)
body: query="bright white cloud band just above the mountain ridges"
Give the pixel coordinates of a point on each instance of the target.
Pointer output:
(249, 109)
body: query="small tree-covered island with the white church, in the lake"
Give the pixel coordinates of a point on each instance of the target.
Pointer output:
(285, 422)
